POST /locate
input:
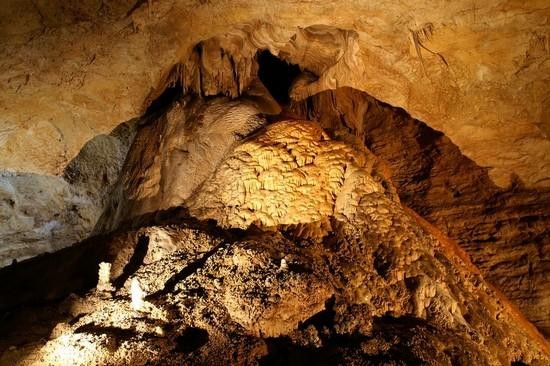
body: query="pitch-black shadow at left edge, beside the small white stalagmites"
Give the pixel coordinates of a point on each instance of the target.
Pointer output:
(31, 290)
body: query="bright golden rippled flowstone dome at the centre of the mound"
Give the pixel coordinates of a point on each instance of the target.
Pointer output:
(291, 173)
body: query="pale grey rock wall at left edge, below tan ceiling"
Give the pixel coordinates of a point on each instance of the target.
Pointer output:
(44, 213)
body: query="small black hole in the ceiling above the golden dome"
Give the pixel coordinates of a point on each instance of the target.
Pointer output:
(277, 75)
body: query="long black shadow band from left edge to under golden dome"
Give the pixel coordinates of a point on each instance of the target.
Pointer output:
(52, 276)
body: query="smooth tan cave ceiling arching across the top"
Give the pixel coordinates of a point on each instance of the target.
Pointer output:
(471, 71)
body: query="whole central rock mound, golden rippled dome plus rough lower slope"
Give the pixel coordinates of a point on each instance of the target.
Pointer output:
(382, 286)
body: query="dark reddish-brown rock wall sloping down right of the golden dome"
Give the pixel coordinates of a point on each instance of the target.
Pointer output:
(505, 231)
